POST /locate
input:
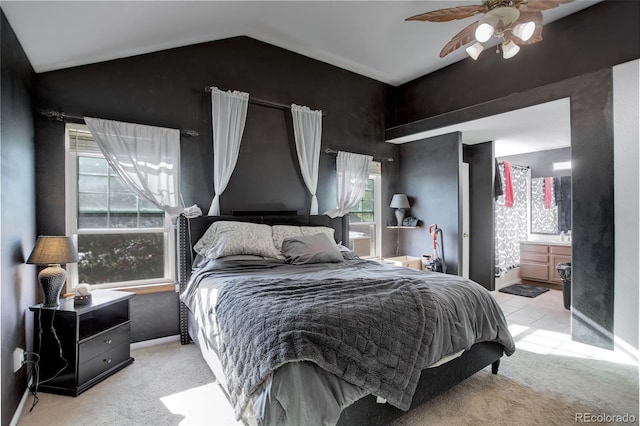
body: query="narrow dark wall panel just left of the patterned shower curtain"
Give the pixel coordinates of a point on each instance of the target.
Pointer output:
(481, 213)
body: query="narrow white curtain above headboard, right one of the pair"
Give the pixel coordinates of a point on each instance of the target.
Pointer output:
(307, 130)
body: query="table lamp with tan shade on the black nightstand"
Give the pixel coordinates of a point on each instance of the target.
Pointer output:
(52, 251)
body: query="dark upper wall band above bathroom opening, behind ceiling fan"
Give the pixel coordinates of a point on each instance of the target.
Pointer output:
(610, 29)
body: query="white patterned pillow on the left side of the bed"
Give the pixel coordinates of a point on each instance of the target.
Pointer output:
(226, 238)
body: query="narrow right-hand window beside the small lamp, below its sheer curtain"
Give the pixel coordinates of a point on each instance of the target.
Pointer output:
(365, 218)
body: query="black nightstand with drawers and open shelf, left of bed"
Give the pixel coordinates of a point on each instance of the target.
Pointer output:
(94, 341)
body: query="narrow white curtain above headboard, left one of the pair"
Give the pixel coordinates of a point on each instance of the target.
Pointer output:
(229, 114)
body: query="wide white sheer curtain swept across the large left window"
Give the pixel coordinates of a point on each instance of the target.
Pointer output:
(147, 158)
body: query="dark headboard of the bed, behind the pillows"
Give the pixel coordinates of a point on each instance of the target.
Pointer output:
(189, 231)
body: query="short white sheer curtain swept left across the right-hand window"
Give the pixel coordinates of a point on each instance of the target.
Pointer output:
(352, 176)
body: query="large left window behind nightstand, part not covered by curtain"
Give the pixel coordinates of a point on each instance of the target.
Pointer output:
(122, 239)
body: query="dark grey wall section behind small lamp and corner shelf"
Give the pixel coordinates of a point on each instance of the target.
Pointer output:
(430, 176)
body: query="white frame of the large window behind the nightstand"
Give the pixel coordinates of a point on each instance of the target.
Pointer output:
(71, 225)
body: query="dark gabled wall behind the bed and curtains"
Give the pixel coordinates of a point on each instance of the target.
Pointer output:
(167, 89)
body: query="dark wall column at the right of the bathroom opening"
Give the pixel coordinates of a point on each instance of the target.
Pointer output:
(593, 215)
